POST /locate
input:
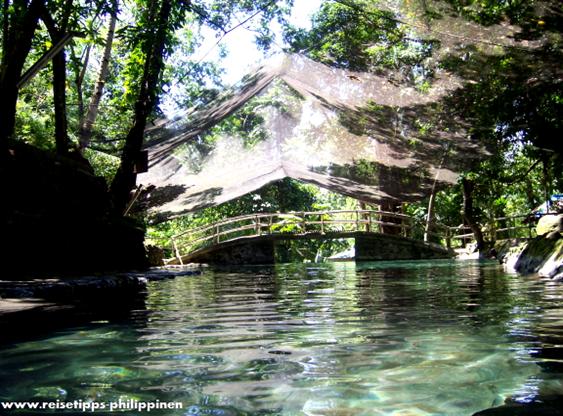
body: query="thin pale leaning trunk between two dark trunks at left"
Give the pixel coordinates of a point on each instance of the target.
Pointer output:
(86, 126)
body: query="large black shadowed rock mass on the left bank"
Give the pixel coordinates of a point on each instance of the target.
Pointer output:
(57, 217)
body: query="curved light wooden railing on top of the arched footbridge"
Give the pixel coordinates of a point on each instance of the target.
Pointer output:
(303, 223)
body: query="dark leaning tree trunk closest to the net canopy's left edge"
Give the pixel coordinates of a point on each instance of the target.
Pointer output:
(125, 178)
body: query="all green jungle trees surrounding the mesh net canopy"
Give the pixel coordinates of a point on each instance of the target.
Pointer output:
(94, 96)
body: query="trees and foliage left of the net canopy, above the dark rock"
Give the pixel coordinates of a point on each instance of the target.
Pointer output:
(97, 94)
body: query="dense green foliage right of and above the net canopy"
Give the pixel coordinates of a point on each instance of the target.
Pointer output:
(512, 94)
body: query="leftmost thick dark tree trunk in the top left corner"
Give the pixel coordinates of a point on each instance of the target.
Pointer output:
(19, 29)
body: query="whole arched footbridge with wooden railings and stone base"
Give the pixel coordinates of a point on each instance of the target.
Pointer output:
(249, 239)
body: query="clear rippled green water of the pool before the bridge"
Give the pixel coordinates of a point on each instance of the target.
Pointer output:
(420, 338)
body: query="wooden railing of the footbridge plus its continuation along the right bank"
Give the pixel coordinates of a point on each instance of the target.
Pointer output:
(343, 221)
